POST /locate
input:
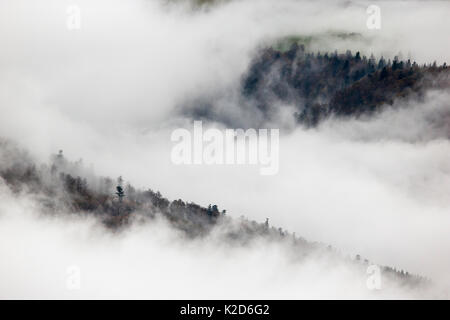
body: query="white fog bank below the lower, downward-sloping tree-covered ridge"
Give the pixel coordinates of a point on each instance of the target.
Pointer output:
(70, 258)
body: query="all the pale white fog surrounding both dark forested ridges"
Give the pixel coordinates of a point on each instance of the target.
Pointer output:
(113, 91)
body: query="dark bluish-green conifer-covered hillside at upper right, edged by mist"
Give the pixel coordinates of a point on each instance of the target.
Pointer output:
(332, 84)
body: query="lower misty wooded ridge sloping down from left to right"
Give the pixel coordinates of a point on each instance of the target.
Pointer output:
(62, 187)
